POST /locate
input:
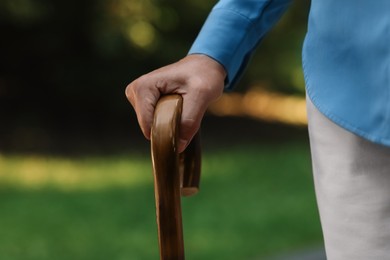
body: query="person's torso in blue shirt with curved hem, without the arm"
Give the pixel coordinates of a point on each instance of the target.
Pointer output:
(346, 59)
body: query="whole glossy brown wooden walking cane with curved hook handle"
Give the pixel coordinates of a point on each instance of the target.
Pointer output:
(175, 175)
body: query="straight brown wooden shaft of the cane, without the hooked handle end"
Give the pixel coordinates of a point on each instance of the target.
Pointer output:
(166, 177)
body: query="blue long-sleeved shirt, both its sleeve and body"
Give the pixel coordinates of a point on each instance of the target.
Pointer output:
(346, 55)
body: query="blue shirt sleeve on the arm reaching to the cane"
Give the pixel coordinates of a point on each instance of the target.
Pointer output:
(232, 31)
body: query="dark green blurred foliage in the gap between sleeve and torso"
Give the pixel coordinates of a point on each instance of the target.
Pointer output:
(277, 64)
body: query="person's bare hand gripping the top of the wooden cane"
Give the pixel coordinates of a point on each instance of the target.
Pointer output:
(197, 78)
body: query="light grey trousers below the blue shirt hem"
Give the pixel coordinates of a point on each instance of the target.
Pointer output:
(352, 183)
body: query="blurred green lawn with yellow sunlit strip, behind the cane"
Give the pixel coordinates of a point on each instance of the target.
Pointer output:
(254, 202)
